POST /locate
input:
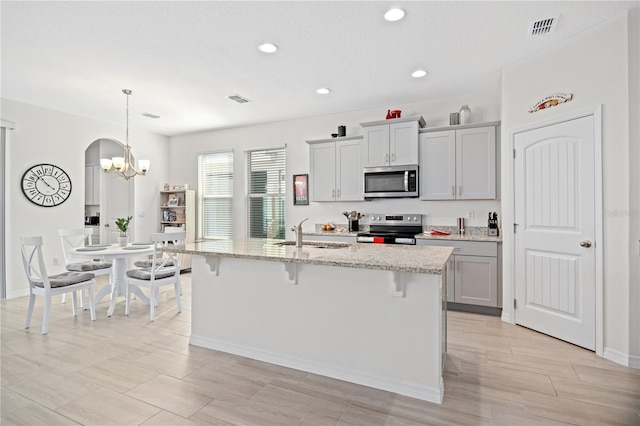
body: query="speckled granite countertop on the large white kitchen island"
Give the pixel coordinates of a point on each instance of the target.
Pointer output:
(414, 259)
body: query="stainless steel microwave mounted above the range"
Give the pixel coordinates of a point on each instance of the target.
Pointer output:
(390, 182)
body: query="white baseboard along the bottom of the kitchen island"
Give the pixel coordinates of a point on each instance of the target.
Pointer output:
(408, 389)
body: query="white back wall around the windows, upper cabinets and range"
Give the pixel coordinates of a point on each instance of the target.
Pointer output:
(294, 133)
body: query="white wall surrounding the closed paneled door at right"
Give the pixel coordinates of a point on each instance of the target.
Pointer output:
(594, 67)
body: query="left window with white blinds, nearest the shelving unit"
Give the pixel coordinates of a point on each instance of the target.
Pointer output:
(215, 201)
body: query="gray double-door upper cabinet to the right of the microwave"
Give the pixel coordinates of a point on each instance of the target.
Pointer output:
(459, 164)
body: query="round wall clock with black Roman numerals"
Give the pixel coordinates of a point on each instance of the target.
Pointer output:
(46, 185)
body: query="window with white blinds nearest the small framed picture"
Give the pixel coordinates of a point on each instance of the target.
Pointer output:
(266, 193)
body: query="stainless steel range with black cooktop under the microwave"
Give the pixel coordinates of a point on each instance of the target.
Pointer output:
(392, 229)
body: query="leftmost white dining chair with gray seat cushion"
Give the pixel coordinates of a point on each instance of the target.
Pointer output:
(41, 284)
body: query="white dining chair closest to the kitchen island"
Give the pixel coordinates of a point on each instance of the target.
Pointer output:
(163, 269)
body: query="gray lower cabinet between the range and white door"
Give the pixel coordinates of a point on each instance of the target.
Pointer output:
(474, 281)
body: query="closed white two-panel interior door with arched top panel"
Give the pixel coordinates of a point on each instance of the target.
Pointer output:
(554, 240)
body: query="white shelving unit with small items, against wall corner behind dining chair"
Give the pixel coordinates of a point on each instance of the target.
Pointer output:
(177, 210)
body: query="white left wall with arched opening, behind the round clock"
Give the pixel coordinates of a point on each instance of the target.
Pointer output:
(46, 136)
